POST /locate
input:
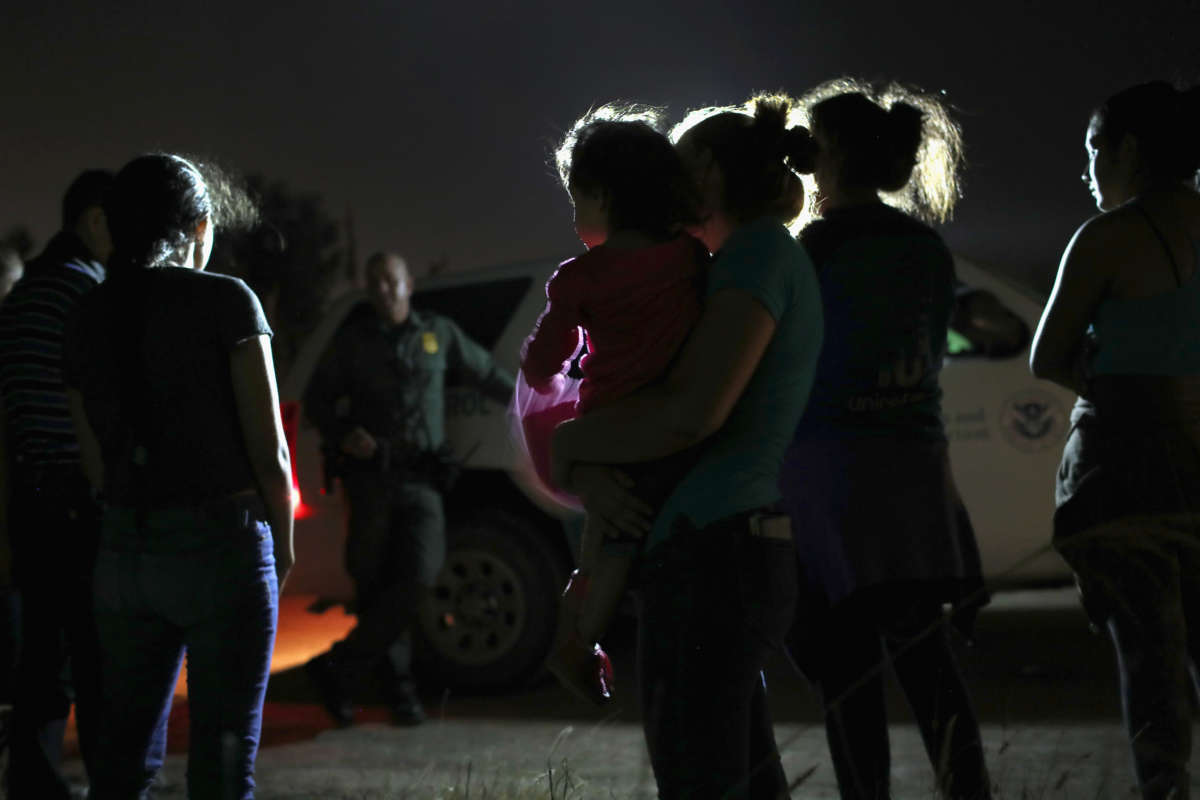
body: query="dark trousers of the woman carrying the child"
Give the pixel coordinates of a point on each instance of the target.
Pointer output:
(712, 605)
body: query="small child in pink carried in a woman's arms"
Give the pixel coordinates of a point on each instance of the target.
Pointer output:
(635, 296)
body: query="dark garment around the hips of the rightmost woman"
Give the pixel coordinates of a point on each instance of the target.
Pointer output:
(1129, 491)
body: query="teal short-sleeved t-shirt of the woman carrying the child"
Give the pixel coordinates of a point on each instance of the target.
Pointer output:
(739, 467)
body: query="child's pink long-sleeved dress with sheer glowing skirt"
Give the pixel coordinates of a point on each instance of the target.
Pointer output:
(635, 309)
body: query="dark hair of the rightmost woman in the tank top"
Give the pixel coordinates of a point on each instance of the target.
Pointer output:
(1166, 124)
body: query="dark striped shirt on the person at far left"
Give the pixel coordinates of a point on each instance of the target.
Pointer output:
(33, 324)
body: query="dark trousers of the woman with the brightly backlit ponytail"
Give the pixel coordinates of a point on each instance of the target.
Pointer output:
(911, 635)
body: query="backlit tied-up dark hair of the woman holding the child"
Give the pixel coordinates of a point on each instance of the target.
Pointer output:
(760, 154)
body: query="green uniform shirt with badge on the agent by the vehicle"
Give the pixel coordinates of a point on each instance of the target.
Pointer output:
(393, 378)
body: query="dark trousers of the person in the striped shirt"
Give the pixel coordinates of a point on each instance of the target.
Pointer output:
(55, 527)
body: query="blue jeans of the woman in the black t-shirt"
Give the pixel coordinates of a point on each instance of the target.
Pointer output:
(201, 580)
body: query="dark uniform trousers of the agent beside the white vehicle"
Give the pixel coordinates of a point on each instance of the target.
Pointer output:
(395, 549)
